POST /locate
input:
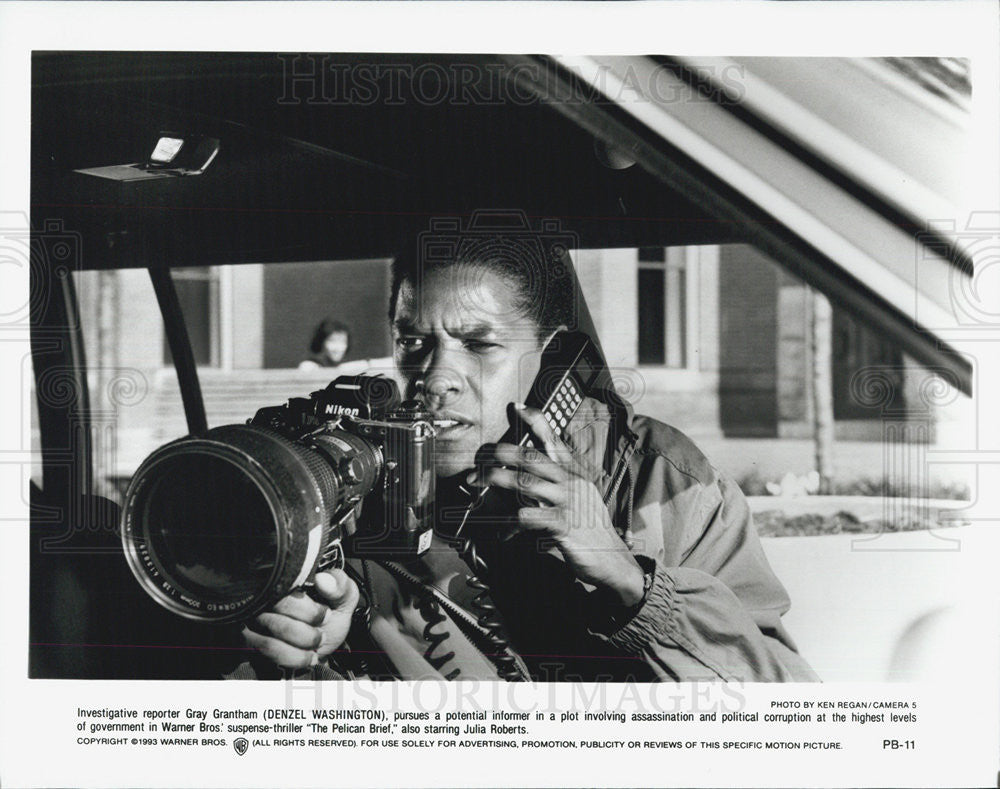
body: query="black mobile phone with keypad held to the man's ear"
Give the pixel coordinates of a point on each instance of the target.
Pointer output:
(570, 366)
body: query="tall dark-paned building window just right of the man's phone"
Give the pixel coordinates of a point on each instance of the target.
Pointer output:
(662, 308)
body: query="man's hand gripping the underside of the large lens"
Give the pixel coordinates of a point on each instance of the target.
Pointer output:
(299, 632)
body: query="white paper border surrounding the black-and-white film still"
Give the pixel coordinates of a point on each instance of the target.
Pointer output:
(34, 714)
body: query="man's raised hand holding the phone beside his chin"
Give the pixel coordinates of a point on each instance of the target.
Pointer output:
(570, 508)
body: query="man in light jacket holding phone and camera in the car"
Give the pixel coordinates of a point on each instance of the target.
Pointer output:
(666, 582)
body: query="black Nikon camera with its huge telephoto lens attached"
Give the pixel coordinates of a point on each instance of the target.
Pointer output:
(218, 527)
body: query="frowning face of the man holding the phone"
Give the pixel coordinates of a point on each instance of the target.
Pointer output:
(463, 349)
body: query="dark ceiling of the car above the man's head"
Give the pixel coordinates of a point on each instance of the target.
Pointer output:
(305, 174)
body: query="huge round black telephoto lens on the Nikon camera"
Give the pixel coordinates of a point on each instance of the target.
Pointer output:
(221, 526)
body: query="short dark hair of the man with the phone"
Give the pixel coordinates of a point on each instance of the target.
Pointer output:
(545, 290)
